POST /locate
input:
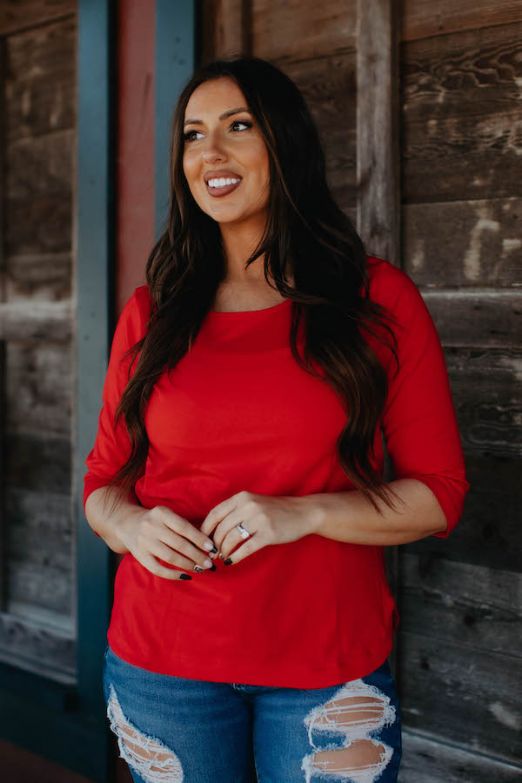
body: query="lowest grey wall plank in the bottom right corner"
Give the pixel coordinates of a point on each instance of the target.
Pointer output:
(427, 760)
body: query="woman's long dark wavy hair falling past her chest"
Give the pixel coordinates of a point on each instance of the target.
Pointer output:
(306, 232)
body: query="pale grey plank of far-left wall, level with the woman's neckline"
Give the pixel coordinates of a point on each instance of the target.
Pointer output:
(36, 321)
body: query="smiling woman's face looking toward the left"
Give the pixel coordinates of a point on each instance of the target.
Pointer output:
(225, 159)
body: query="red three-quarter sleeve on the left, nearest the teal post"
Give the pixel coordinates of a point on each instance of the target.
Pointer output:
(112, 446)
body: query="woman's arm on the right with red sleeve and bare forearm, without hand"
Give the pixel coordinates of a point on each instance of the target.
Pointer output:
(421, 433)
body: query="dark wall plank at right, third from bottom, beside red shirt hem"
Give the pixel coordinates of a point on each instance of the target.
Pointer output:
(476, 606)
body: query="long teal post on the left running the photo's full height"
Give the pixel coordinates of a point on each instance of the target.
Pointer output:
(95, 267)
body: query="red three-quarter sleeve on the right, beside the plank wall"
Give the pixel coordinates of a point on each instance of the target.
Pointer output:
(419, 420)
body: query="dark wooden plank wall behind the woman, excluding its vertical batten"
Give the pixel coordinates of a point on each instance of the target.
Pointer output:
(460, 128)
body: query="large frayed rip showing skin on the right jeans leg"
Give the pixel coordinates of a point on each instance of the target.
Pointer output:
(356, 710)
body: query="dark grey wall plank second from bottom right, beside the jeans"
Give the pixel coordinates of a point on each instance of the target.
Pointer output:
(479, 690)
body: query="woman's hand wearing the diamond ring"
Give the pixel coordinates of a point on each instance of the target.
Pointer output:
(269, 520)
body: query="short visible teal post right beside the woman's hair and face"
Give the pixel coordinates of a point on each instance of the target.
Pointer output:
(175, 61)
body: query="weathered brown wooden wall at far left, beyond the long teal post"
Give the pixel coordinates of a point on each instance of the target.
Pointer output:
(38, 41)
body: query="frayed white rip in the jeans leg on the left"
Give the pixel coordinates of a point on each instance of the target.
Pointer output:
(148, 756)
